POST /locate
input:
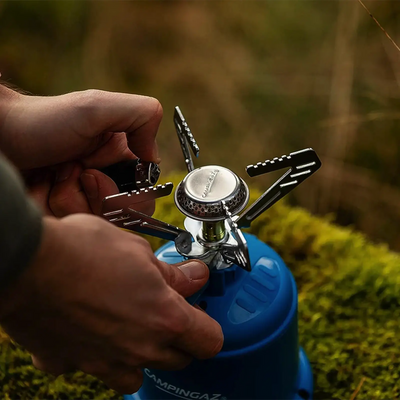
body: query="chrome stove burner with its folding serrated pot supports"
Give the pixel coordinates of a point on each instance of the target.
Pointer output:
(211, 197)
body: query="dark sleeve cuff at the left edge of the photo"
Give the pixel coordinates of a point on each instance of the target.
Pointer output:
(20, 225)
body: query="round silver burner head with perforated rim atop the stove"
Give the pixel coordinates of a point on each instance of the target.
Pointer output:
(200, 194)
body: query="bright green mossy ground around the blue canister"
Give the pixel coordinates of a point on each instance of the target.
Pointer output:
(349, 313)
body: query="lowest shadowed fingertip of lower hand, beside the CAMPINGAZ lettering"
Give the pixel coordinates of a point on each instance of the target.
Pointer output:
(124, 381)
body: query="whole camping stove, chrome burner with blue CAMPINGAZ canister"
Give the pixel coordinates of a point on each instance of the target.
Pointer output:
(251, 292)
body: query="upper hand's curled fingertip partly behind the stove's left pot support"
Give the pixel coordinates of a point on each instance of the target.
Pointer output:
(98, 185)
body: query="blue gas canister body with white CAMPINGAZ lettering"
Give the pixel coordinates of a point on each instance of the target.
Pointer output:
(260, 359)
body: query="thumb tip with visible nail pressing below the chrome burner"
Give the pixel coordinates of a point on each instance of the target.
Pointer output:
(187, 277)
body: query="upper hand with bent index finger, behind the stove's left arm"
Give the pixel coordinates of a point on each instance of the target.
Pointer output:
(59, 143)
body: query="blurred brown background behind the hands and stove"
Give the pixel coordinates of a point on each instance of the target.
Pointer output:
(255, 79)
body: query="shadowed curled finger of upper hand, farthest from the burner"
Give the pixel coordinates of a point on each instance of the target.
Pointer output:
(67, 195)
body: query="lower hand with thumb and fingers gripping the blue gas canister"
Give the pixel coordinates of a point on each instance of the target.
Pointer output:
(98, 300)
